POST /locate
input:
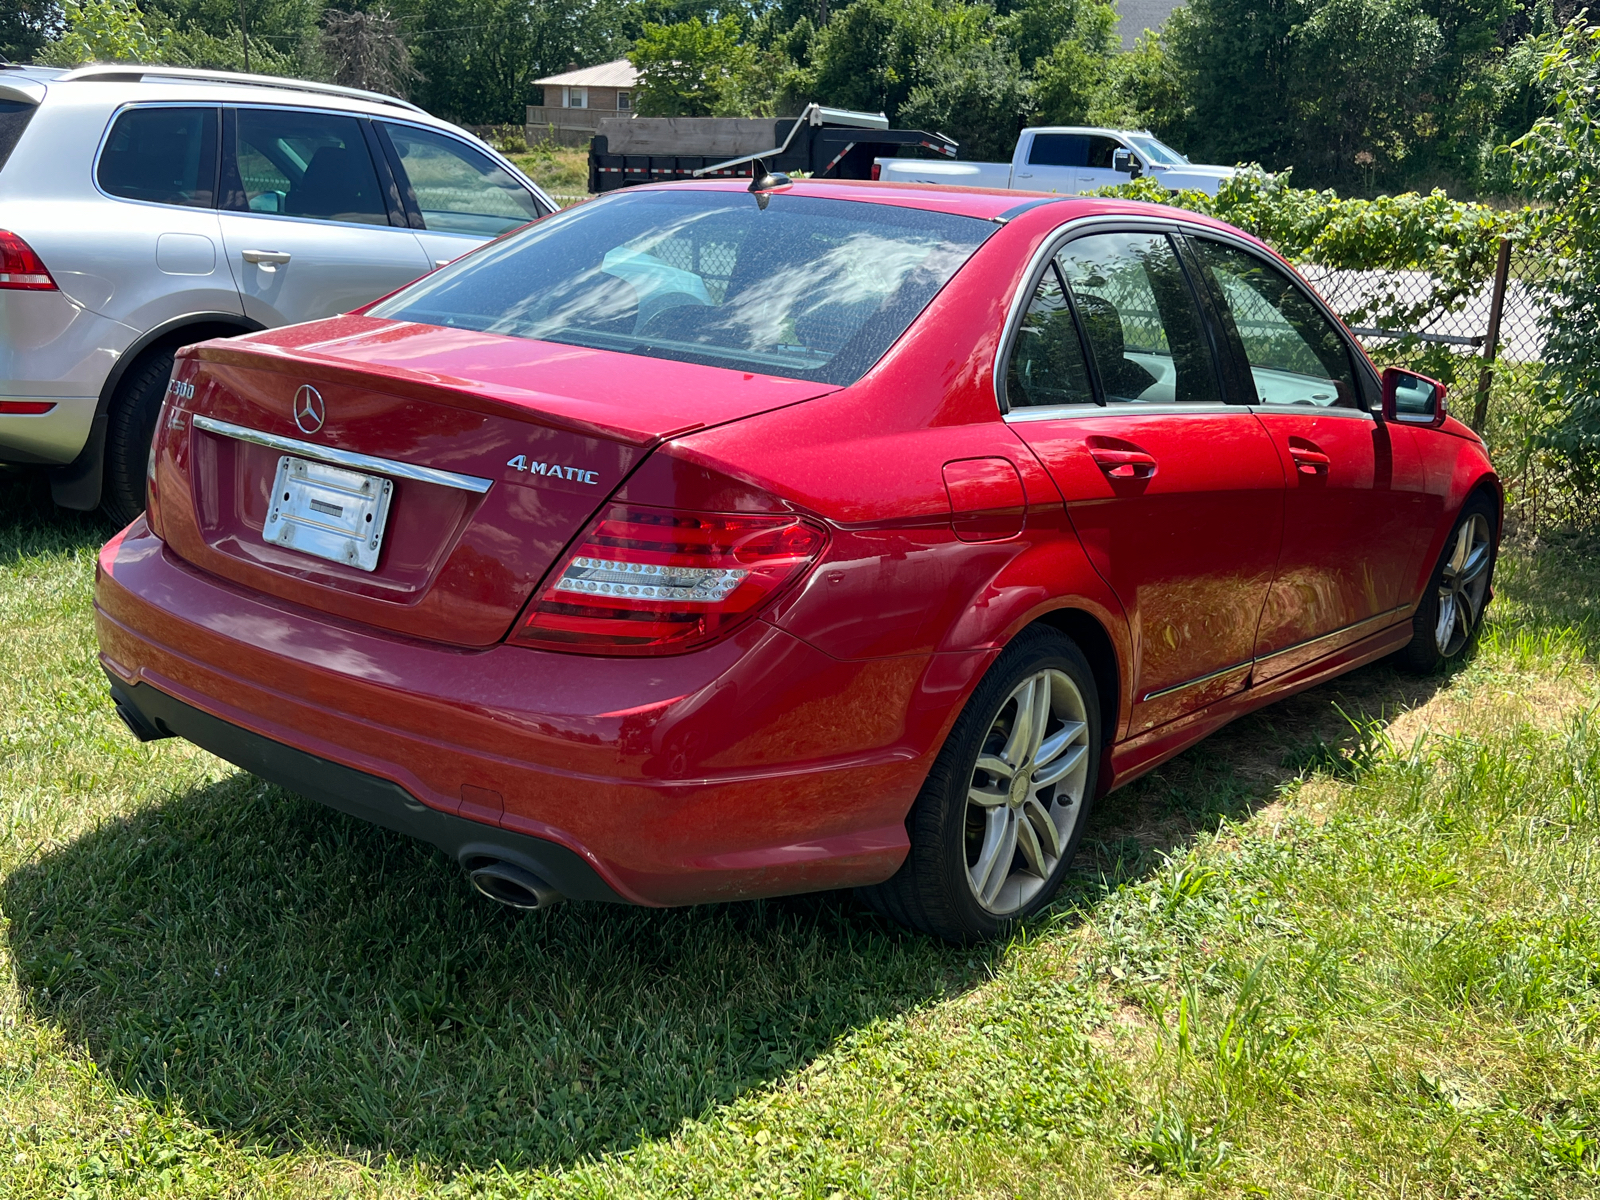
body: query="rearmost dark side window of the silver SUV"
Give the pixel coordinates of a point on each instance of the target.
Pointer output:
(166, 156)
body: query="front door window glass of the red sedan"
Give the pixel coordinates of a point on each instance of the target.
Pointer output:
(1295, 353)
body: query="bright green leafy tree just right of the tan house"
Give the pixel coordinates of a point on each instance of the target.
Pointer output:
(689, 70)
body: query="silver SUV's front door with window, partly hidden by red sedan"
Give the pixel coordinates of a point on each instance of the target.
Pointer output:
(457, 198)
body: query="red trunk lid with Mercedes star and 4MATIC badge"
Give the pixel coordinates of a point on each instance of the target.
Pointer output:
(494, 454)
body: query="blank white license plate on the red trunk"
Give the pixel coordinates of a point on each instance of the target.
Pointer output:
(329, 511)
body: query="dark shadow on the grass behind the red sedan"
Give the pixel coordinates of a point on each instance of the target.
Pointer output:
(295, 977)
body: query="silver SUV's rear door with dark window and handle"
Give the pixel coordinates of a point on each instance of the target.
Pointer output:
(310, 218)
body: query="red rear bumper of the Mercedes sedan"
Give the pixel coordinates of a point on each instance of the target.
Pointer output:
(758, 767)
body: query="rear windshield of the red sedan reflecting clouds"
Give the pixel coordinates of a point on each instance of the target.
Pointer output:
(806, 287)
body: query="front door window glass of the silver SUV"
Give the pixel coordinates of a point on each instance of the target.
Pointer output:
(458, 190)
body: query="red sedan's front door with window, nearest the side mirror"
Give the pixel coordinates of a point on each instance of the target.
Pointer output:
(1354, 484)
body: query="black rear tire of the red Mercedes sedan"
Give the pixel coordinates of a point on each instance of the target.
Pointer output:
(935, 890)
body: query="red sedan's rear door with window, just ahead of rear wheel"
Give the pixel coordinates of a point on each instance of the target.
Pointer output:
(1177, 497)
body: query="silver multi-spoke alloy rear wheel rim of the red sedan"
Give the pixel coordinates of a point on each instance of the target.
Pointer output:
(1026, 791)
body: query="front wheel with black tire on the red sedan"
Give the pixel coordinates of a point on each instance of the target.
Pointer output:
(1463, 593)
